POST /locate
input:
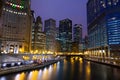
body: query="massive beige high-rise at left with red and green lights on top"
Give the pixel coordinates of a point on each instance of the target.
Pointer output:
(15, 26)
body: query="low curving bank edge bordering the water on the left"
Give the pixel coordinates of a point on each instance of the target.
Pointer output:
(20, 69)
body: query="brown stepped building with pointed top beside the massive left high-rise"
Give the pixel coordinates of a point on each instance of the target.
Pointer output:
(38, 37)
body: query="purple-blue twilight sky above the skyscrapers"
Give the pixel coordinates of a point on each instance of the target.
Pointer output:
(61, 9)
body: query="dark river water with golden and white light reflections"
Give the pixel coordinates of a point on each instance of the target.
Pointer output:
(69, 69)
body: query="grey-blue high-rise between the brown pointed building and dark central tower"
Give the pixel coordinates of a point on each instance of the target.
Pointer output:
(50, 30)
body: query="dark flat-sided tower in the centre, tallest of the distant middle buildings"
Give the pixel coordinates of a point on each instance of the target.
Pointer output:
(65, 35)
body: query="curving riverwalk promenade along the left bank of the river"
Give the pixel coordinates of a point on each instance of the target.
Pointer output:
(26, 67)
